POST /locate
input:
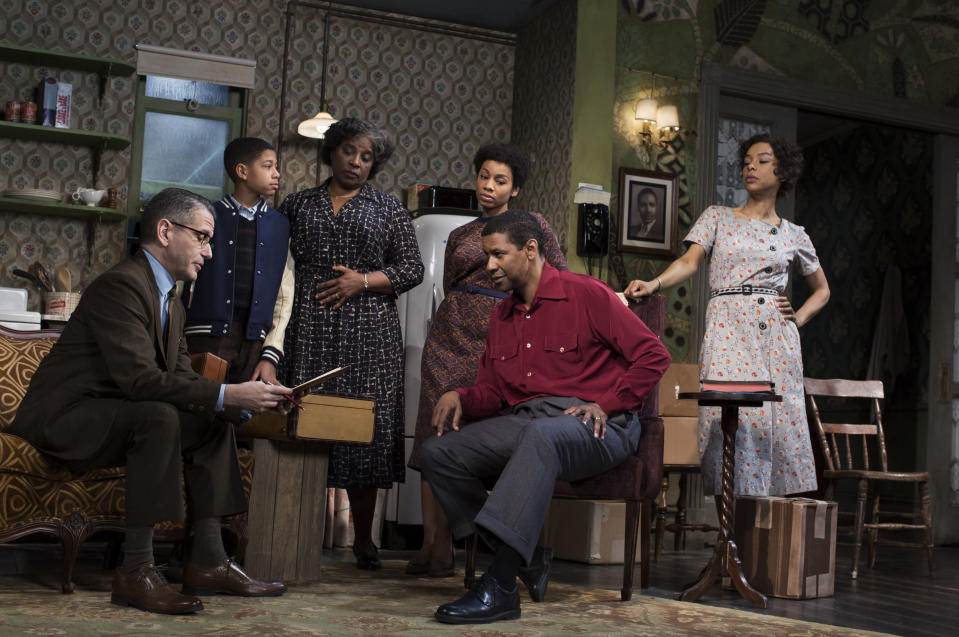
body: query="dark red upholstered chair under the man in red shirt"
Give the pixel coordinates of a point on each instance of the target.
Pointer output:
(637, 481)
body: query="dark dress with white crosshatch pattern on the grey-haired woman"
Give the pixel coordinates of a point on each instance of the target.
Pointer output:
(371, 232)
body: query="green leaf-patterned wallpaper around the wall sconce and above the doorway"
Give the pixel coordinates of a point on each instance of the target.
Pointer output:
(900, 49)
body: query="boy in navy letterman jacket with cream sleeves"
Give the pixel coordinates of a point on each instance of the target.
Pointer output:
(240, 304)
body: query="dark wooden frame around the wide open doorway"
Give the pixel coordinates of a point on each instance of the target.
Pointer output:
(717, 80)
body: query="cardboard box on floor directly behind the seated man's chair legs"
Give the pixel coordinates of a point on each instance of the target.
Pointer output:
(591, 531)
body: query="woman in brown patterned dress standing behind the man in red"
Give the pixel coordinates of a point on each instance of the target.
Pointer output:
(457, 336)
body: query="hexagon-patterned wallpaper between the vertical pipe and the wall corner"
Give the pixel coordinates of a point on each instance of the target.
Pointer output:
(440, 97)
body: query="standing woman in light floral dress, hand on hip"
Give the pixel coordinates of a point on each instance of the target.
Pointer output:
(752, 331)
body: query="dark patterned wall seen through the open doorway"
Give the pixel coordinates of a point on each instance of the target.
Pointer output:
(864, 202)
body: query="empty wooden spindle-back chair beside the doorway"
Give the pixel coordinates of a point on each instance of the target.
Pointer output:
(843, 464)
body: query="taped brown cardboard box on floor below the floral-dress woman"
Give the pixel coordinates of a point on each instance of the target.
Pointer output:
(787, 546)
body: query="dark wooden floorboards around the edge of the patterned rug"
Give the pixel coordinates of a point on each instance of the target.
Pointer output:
(898, 596)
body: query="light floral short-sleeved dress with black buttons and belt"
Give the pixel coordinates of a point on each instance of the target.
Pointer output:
(746, 338)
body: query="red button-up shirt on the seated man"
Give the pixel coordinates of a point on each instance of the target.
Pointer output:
(576, 339)
